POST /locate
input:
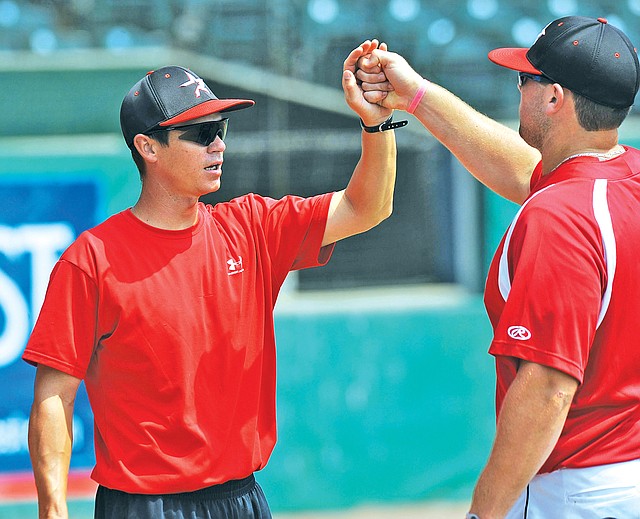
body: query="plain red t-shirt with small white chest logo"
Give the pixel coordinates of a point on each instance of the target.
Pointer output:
(172, 332)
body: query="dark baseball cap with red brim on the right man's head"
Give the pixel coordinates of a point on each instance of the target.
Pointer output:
(589, 56)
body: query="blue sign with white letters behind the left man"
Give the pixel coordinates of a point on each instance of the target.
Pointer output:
(39, 218)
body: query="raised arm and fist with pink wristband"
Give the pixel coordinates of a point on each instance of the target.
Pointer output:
(493, 153)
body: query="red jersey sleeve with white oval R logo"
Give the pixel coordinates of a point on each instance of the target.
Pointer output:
(557, 273)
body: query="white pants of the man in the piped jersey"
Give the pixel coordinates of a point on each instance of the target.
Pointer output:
(602, 492)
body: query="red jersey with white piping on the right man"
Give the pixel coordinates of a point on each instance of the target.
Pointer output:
(563, 290)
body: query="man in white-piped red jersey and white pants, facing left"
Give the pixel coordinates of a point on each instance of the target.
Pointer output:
(562, 292)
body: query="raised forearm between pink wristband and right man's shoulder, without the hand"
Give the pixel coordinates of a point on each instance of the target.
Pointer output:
(493, 153)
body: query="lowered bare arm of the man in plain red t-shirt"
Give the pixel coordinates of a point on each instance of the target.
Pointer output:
(51, 438)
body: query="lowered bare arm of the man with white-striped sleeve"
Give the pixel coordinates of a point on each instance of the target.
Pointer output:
(531, 420)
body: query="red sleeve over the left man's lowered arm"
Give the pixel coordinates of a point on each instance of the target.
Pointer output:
(64, 335)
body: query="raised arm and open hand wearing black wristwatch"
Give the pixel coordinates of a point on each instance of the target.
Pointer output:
(368, 197)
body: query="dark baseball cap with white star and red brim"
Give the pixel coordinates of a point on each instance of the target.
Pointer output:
(168, 96)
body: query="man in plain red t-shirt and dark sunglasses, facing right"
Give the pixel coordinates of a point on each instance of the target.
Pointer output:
(165, 310)
